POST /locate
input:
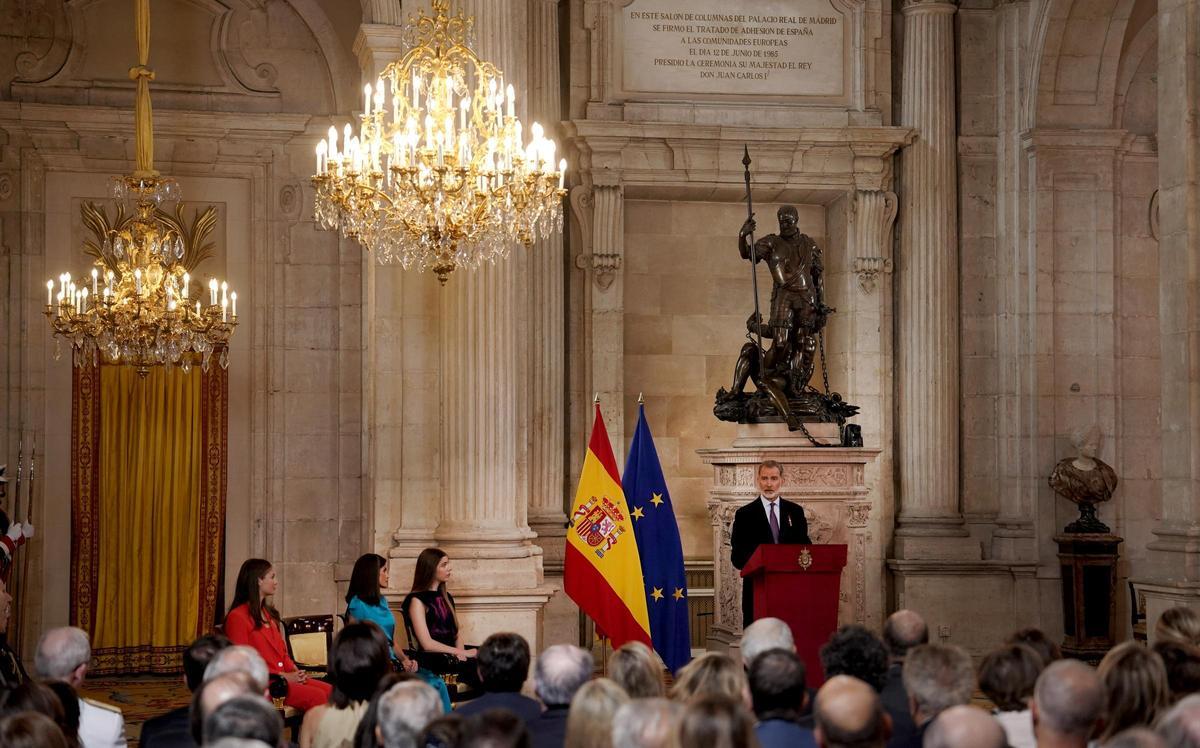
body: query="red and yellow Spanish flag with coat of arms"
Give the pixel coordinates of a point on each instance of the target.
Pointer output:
(603, 572)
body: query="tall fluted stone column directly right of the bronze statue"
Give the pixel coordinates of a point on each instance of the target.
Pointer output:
(931, 522)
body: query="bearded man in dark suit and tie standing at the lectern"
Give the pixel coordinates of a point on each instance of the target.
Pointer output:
(769, 519)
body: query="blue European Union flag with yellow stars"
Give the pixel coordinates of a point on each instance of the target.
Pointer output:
(658, 544)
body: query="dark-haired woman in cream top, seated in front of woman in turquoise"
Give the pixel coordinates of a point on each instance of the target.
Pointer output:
(358, 662)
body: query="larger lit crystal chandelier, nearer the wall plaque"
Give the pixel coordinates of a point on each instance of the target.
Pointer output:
(440, 175)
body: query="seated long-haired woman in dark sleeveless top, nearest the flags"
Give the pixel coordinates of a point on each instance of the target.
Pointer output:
(431, 620)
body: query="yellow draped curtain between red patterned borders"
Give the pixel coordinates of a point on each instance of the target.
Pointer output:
(148, 567)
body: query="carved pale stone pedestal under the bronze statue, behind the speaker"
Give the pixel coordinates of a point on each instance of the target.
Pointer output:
(830, 483)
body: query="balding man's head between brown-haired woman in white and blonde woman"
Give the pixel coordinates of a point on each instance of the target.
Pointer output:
(1069, 703)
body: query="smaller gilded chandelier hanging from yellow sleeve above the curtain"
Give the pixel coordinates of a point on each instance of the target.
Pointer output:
(136, 307)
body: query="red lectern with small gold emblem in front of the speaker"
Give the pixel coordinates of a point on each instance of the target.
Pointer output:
(800, 585)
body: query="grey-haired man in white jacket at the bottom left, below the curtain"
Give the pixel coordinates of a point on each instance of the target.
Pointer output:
(63, 655)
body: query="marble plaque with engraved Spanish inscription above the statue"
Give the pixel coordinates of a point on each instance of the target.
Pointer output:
(717, 47)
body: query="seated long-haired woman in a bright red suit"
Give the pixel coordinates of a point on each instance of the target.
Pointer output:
(253, 621)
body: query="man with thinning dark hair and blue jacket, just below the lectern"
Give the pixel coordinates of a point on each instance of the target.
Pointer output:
(778, 693)
